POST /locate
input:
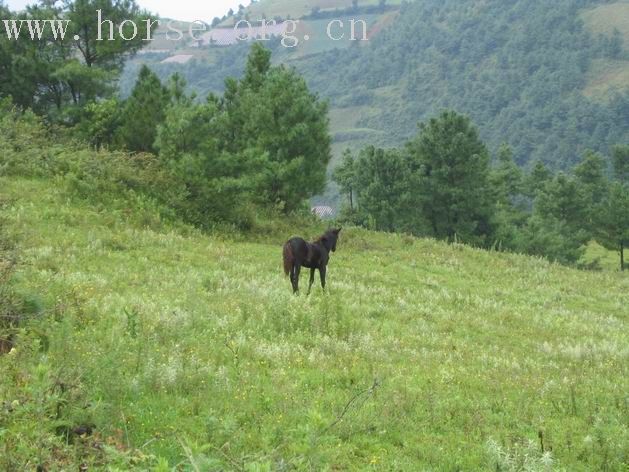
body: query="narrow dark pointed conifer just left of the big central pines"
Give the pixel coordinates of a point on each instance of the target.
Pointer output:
(143, 111)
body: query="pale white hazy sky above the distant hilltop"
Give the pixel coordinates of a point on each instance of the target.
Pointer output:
(178, 9)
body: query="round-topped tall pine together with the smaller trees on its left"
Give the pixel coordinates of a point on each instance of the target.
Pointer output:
(437, 186)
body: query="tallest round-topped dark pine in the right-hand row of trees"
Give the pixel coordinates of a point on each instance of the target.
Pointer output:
(452, 190)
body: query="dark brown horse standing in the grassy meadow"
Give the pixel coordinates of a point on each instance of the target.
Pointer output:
(298, 253)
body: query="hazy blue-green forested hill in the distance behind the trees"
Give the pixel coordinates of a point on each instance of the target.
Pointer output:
(549, 78)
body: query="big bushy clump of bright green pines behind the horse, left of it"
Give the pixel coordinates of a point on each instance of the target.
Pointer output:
(265, 142)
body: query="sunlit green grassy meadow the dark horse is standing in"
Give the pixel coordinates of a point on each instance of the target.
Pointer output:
(179, 348)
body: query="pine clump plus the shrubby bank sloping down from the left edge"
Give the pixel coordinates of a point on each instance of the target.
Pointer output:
(261, 147)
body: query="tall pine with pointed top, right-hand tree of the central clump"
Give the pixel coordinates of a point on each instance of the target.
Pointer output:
(272, 111)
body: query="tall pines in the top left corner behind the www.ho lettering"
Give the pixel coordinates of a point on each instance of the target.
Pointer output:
(54, 76)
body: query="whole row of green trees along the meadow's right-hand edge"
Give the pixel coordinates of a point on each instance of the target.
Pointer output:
(443, 184)
